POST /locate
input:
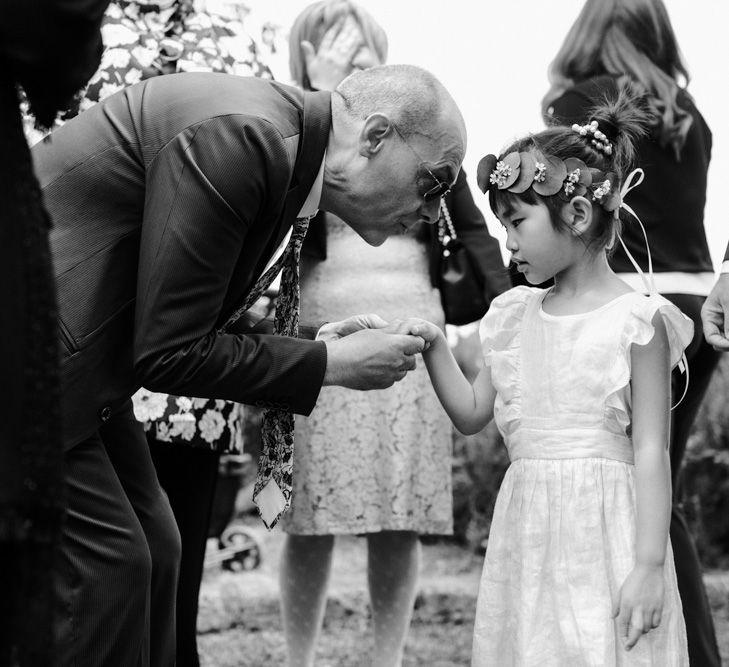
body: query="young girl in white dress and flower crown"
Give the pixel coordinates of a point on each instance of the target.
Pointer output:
(578, 569)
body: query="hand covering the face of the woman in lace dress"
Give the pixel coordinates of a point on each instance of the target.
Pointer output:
(328, 66)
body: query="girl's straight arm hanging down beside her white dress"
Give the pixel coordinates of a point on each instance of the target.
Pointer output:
(640, 600)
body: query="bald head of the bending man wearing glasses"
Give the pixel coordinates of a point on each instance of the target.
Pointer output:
(397, 139)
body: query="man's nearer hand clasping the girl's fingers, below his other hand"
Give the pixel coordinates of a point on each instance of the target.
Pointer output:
(370, 359)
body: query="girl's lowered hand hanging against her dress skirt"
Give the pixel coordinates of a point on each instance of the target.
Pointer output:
(640, 603)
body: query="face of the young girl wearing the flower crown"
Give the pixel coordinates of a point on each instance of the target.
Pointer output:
(538, 249)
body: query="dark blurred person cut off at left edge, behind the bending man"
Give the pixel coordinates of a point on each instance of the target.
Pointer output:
(49, 49)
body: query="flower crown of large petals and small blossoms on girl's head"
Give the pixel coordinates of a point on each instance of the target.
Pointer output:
(548, 175)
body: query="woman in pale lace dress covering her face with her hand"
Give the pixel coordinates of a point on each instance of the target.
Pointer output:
(375, 464)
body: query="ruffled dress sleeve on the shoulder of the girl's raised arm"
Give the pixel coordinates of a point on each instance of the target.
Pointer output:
(499, 329)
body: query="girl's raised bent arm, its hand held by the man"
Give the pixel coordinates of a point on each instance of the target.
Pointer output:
(469, 406)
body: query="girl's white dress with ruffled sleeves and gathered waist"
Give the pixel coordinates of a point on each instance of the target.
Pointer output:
(563, 533)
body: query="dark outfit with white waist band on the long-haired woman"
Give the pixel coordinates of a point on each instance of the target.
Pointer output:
(670, 203)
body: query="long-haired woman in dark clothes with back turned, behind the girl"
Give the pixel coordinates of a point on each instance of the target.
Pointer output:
(613, 41)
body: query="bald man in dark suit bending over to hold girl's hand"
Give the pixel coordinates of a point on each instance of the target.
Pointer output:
(169, 200)
